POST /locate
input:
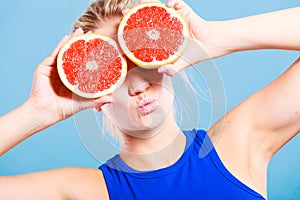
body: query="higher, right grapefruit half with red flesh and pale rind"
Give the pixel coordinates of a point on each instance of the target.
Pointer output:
(152, 34)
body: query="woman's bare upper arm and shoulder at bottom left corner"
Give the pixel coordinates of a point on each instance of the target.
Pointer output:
(65, 183)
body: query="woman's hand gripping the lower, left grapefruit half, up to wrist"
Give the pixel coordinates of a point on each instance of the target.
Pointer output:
(50, 96)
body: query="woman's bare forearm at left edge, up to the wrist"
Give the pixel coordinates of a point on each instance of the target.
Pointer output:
(20, 124)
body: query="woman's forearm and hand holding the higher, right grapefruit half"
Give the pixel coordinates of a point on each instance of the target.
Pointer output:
(212, 39)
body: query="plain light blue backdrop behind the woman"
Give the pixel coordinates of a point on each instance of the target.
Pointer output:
(31, 29)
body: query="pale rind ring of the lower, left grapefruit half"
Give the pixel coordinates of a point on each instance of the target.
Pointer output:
(74, 88)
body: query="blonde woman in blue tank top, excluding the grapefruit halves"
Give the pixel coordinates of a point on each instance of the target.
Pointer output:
(157, 159)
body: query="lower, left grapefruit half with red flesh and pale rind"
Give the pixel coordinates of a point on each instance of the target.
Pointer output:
(91, 65)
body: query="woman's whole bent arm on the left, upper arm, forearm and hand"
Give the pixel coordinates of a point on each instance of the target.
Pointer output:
(49, 102)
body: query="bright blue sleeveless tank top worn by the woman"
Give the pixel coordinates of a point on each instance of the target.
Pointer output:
(198, 174)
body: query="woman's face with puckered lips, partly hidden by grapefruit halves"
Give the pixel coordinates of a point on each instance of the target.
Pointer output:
(145, 99)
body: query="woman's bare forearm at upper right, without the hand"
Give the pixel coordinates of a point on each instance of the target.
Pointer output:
(274, 30)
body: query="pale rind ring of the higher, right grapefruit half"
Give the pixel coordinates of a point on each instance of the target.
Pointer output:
(154, 63)
